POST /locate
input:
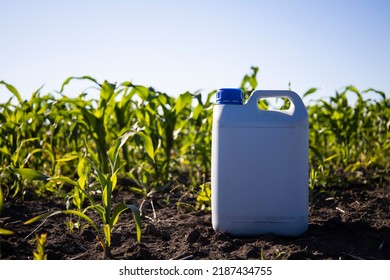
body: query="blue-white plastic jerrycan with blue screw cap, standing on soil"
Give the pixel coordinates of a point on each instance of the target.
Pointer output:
(260, 168)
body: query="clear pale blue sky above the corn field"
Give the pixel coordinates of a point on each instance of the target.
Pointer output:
(176, 46)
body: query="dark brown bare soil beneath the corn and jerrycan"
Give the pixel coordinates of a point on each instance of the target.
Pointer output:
(343, 224)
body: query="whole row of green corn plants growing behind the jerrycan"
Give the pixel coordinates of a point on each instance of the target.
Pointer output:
(158, 141)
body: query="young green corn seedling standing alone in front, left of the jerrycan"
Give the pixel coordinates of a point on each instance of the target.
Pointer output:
(108, 213)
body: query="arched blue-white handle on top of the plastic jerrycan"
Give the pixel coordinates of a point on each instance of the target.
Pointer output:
(297, 106)
